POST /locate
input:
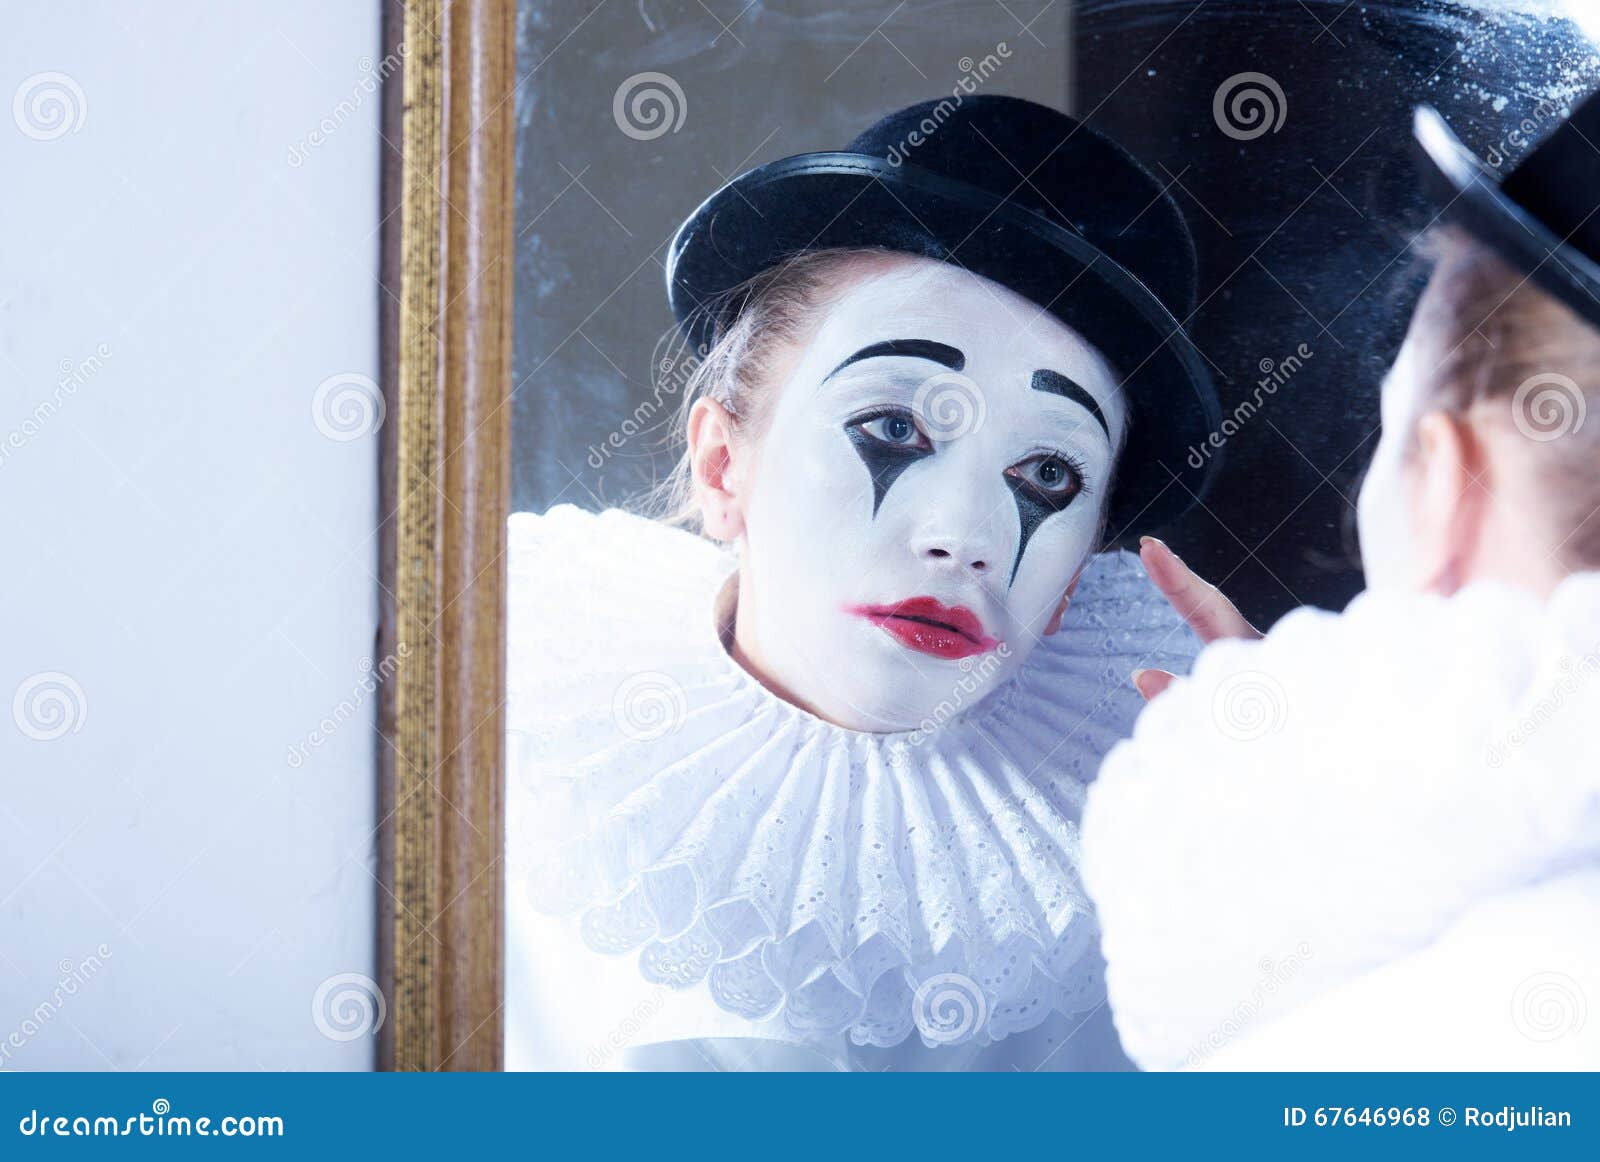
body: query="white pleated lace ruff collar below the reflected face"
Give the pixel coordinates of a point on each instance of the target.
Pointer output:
(831, 880)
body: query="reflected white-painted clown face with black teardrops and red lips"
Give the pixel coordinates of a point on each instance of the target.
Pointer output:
(930, 483)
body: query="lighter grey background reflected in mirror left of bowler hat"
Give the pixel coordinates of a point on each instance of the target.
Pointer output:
(602, 190)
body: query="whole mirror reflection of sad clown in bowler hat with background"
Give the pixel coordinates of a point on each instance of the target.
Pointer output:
(850, 375)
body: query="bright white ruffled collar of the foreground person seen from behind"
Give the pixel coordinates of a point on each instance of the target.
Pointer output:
(1335, 798)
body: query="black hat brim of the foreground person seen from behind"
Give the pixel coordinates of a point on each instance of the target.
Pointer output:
(1470, 194)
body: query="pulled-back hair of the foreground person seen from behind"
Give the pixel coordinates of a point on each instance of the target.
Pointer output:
(1494, 337)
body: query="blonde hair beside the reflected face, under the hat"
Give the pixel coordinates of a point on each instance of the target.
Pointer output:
(762, 321)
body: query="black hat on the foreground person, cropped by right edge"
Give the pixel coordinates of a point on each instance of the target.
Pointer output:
(1543, 218)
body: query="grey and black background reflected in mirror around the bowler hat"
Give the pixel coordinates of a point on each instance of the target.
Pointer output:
(1305, 231)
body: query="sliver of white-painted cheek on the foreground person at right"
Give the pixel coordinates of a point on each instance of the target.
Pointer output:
(1383, 511)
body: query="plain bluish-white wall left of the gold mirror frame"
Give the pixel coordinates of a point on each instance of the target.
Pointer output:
(185, 548)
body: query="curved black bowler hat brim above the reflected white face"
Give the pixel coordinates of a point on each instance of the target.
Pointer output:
(834, 199)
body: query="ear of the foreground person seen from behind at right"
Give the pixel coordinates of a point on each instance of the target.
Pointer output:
(1450, 500)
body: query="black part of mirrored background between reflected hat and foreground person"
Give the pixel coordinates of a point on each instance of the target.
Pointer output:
(1306, 233)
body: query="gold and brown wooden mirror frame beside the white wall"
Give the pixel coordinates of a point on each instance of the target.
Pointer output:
(447, 315)
